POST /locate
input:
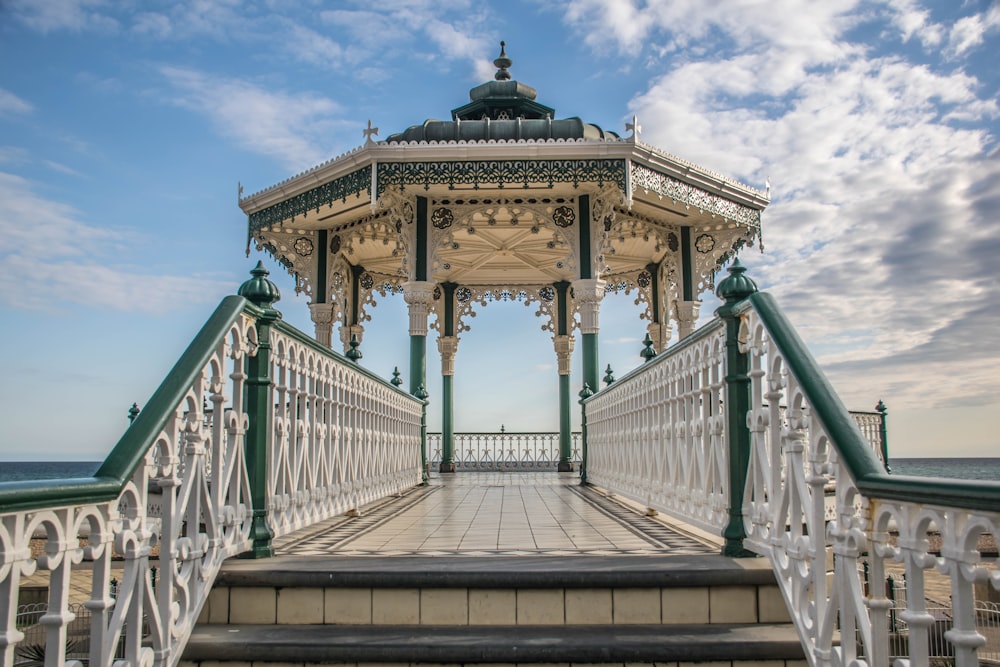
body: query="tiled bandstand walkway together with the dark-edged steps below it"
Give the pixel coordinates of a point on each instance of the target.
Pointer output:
(496, 567)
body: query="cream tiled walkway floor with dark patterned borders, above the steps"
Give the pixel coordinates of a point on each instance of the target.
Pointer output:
(497, 514)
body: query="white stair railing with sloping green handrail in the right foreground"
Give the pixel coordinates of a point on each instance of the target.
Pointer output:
(796, 459)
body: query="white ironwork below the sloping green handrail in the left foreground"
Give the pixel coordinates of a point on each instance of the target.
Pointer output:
(189, 497)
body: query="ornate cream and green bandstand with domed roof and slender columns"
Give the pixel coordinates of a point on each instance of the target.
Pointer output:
(504, 202)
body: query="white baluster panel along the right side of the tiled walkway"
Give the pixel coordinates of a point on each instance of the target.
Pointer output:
(658, 434)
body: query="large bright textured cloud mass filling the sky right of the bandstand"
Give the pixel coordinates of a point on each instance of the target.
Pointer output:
(881, 235)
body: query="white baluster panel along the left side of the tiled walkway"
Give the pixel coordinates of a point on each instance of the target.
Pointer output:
(342, 439)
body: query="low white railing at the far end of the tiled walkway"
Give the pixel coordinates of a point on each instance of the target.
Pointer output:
(512, 451)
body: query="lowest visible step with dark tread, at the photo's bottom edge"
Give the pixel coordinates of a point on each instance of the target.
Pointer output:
(774, 645)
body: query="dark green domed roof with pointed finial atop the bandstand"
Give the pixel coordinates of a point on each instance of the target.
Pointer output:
(501, 110)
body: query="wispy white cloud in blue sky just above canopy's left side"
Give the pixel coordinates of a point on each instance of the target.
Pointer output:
(292, 128)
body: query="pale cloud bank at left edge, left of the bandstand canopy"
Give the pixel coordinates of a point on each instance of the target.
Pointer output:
(51, 259)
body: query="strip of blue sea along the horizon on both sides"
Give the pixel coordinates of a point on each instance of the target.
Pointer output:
(956, 468)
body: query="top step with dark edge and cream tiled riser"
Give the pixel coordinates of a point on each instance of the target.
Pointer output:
(506, 591)
